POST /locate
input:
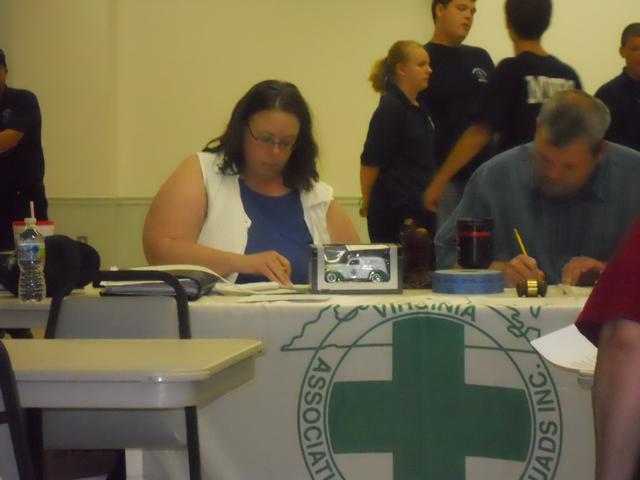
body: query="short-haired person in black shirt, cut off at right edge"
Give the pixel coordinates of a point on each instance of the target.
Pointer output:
(622, 94)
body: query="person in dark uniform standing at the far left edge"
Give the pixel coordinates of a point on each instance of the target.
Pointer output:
(21, 157)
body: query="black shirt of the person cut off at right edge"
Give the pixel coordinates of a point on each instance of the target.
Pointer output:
(622, 96)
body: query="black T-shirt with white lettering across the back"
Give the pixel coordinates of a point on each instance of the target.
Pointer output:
(517, 90)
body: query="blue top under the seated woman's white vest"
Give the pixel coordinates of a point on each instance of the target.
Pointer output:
(277, 223)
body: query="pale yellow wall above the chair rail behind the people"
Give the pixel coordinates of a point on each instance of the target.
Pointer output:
(130, 87)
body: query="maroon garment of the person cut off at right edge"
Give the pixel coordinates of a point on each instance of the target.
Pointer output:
(617, 294)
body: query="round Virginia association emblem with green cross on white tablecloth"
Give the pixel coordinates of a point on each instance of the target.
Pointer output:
(453, 393)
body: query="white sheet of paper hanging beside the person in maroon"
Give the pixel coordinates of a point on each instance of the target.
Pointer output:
(568, 348)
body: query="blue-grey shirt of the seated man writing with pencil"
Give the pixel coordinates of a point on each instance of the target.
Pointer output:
(592, 223)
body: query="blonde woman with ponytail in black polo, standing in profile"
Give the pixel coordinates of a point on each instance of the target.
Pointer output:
(398, 159)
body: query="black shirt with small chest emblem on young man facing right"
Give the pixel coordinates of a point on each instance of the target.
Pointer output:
(456, 88)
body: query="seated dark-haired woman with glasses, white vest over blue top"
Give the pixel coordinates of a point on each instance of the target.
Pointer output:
(250, 204)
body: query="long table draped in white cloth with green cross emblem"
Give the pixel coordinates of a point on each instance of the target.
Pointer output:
(393, 387)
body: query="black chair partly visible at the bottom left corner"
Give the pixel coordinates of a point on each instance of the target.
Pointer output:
(16, 462)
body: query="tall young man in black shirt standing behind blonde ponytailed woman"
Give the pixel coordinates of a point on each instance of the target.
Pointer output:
(456, 88)
